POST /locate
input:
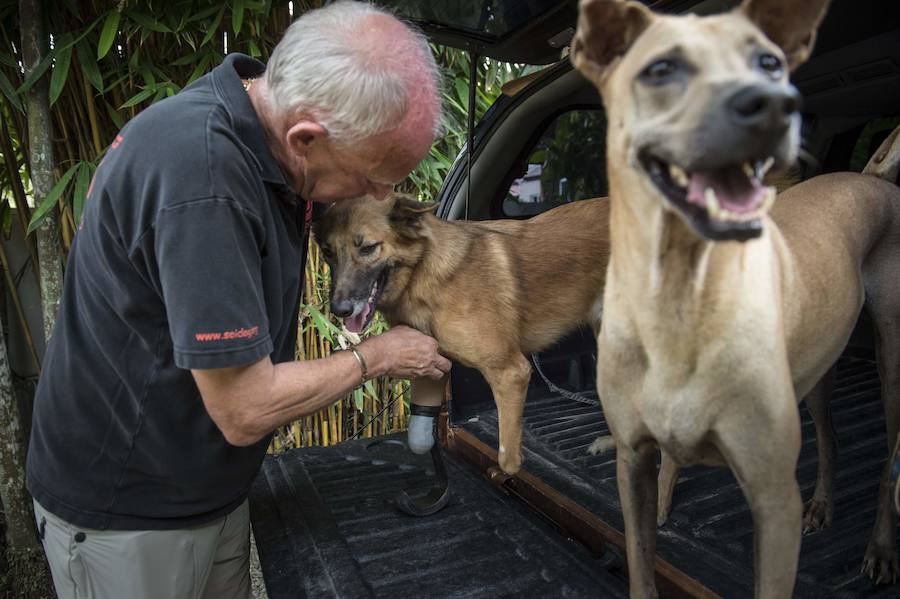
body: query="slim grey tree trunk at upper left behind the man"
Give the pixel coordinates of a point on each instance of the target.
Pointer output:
(40, 156)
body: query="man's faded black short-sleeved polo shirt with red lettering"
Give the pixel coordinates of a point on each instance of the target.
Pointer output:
(189, 255)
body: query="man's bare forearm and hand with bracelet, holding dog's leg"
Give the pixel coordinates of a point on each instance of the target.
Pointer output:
(248, 402)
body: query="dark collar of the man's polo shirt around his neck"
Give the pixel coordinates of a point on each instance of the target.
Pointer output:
(229, 87)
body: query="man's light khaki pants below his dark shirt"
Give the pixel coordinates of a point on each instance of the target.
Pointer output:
(208, 561)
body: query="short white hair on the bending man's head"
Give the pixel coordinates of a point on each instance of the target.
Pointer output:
(325, 65)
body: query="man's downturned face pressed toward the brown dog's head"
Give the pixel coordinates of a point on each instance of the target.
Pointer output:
(373, 166)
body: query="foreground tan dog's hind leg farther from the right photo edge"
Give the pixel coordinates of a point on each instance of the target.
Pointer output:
(820, 509)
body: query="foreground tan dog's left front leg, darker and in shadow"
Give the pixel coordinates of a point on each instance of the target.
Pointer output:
(636, 476)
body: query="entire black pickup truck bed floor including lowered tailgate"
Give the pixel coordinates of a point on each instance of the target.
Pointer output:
(324, 525)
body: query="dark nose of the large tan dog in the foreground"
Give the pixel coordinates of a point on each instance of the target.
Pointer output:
(764, 107)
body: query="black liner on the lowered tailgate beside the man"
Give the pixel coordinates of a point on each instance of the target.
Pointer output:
(325, 527)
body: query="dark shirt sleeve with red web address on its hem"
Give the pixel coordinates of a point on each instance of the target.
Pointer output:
(209, 254)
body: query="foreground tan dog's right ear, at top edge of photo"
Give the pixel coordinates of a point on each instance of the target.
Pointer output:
(791, 24)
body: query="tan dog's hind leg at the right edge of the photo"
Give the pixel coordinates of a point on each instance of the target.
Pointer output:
(880, 562)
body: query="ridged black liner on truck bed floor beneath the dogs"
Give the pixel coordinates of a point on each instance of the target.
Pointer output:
(709, 535)
